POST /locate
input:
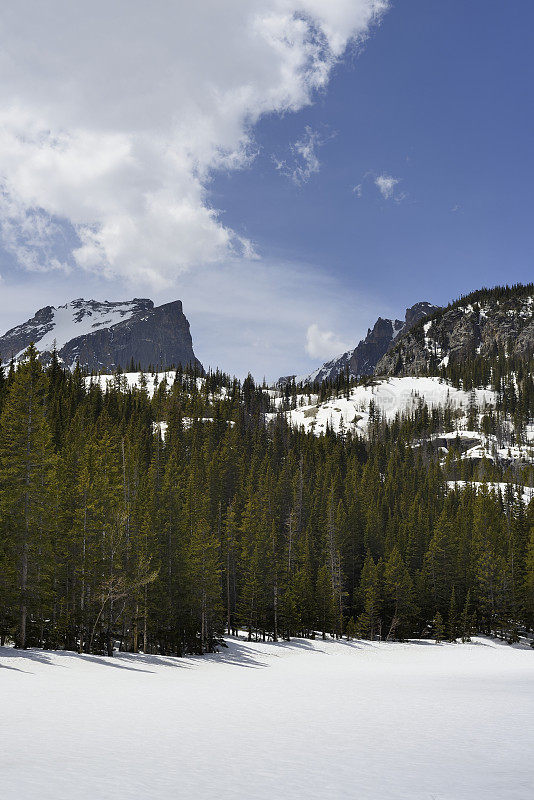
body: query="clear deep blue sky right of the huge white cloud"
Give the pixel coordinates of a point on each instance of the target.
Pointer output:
(441, 99)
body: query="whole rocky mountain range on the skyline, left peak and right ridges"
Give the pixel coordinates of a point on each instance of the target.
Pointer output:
(102, 336)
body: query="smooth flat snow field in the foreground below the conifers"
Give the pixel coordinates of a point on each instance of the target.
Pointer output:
(293, 720)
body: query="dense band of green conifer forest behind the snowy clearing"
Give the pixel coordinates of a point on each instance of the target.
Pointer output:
(117, 530)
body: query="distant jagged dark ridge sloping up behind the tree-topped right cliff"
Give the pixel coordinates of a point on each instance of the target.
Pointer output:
(365, 356)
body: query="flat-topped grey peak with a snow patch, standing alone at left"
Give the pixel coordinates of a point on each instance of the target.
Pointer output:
(103, 336)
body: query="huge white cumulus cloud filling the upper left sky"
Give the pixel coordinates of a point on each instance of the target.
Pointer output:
(114, 116)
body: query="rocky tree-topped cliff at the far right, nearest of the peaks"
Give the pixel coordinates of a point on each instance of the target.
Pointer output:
(467, 329)
